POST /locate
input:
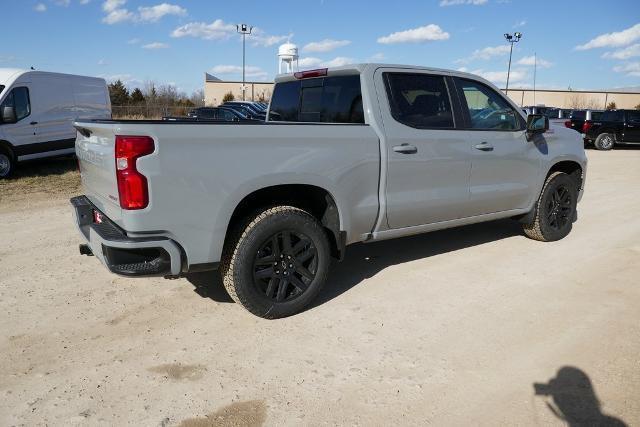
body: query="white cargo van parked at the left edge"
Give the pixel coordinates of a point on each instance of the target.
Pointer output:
(37, 111)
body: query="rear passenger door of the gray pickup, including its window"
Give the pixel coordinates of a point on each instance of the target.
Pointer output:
(428, 158)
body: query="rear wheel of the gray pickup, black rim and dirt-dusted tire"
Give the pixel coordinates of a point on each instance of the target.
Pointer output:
(277, 262)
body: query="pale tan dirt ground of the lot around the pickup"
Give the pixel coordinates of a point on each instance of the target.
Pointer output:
(449, 328)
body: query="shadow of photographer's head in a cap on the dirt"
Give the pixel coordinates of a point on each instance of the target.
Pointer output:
(574, 400)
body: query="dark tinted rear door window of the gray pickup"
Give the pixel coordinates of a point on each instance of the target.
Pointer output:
(419, 100)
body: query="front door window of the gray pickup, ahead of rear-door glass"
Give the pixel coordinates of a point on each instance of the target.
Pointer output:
(487, 109)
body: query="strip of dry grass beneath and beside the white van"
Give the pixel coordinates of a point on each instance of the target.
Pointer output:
(46, 178)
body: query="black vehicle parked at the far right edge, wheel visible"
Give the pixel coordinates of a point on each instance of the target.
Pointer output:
(614, 127)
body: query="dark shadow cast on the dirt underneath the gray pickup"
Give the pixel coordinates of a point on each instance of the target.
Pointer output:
(363, 261)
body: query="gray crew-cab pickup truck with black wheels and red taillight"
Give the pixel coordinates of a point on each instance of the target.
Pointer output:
(351, 154)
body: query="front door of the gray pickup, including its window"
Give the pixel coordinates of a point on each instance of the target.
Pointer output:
(505, 166)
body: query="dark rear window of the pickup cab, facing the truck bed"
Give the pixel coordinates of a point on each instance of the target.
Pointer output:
(326, 100)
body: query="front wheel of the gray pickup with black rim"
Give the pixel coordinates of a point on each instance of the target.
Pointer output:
(555, 209)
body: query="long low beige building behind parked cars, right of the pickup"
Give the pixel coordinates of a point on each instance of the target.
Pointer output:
(574, 99)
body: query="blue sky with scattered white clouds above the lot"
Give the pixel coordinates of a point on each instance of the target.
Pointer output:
(582, 44)
